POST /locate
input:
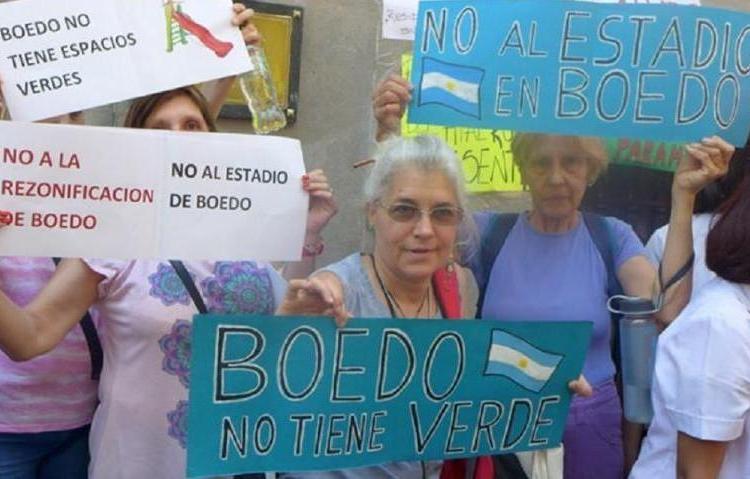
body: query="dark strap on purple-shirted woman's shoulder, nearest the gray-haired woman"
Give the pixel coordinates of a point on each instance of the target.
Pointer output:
(490, 244)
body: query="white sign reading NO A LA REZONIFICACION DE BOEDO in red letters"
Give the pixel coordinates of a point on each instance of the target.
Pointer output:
(122, 193)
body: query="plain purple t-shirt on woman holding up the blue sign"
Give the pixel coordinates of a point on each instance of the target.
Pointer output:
(558, 277)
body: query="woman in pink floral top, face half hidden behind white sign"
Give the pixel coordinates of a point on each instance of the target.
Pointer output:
(139, 427)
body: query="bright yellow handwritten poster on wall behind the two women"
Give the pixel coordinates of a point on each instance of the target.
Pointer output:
(485, 155)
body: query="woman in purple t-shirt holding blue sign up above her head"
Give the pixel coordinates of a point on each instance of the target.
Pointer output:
(546, 264)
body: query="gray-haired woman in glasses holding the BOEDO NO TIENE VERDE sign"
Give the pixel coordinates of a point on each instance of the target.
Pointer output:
(416, 210)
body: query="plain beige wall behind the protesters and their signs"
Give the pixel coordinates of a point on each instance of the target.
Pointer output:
(342, 59)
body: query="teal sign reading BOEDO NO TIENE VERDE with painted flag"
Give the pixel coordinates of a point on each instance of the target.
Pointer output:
(296, 394)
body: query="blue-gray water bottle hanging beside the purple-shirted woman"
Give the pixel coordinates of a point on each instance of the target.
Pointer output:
(638, 335)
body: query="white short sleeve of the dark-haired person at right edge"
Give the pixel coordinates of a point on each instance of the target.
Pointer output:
(702, 371)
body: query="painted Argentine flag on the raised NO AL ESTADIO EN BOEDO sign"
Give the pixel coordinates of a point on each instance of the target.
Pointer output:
(453, 86)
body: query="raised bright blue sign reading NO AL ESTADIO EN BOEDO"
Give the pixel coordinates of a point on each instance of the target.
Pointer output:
(673, 73)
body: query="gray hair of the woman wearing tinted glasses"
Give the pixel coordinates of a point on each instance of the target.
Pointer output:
(426, 153)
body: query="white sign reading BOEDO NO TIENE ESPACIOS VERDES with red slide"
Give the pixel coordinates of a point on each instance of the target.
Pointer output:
(58, 57)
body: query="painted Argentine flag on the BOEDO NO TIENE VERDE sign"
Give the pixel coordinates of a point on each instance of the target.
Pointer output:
(519, 361)
